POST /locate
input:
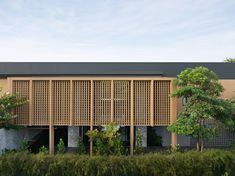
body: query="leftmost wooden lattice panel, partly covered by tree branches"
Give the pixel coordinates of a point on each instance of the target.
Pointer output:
(21, 87)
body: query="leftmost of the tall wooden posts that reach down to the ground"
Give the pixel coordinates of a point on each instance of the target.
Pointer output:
(51, 127)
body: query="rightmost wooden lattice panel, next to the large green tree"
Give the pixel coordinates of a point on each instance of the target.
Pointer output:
(162, 102)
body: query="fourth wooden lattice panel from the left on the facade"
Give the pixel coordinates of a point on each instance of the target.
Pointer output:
(81, 102)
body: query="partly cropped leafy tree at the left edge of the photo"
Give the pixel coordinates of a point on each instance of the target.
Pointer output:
(8, 102)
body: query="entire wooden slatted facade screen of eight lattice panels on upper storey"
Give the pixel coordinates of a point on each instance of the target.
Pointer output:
(70, 101)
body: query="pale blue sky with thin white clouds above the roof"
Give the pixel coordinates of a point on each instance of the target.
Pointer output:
(117, 30)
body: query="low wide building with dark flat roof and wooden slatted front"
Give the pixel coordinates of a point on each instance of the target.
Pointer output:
(78, 96)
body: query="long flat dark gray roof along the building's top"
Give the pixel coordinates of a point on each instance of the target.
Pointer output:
(223, 70)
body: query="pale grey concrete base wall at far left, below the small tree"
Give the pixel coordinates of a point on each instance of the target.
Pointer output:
(11, 139)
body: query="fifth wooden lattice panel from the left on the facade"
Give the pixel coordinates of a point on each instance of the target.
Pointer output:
(102, 102)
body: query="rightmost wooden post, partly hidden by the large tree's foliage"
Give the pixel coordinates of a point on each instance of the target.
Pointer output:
(173, 114)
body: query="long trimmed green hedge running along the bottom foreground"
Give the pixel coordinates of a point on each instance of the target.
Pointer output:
(210, 162)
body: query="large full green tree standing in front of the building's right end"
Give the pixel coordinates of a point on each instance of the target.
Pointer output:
(201, 88)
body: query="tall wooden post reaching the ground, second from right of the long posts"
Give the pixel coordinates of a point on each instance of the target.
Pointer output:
(132, 121)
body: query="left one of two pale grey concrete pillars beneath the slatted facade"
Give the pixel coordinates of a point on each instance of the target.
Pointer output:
(73, 134)
